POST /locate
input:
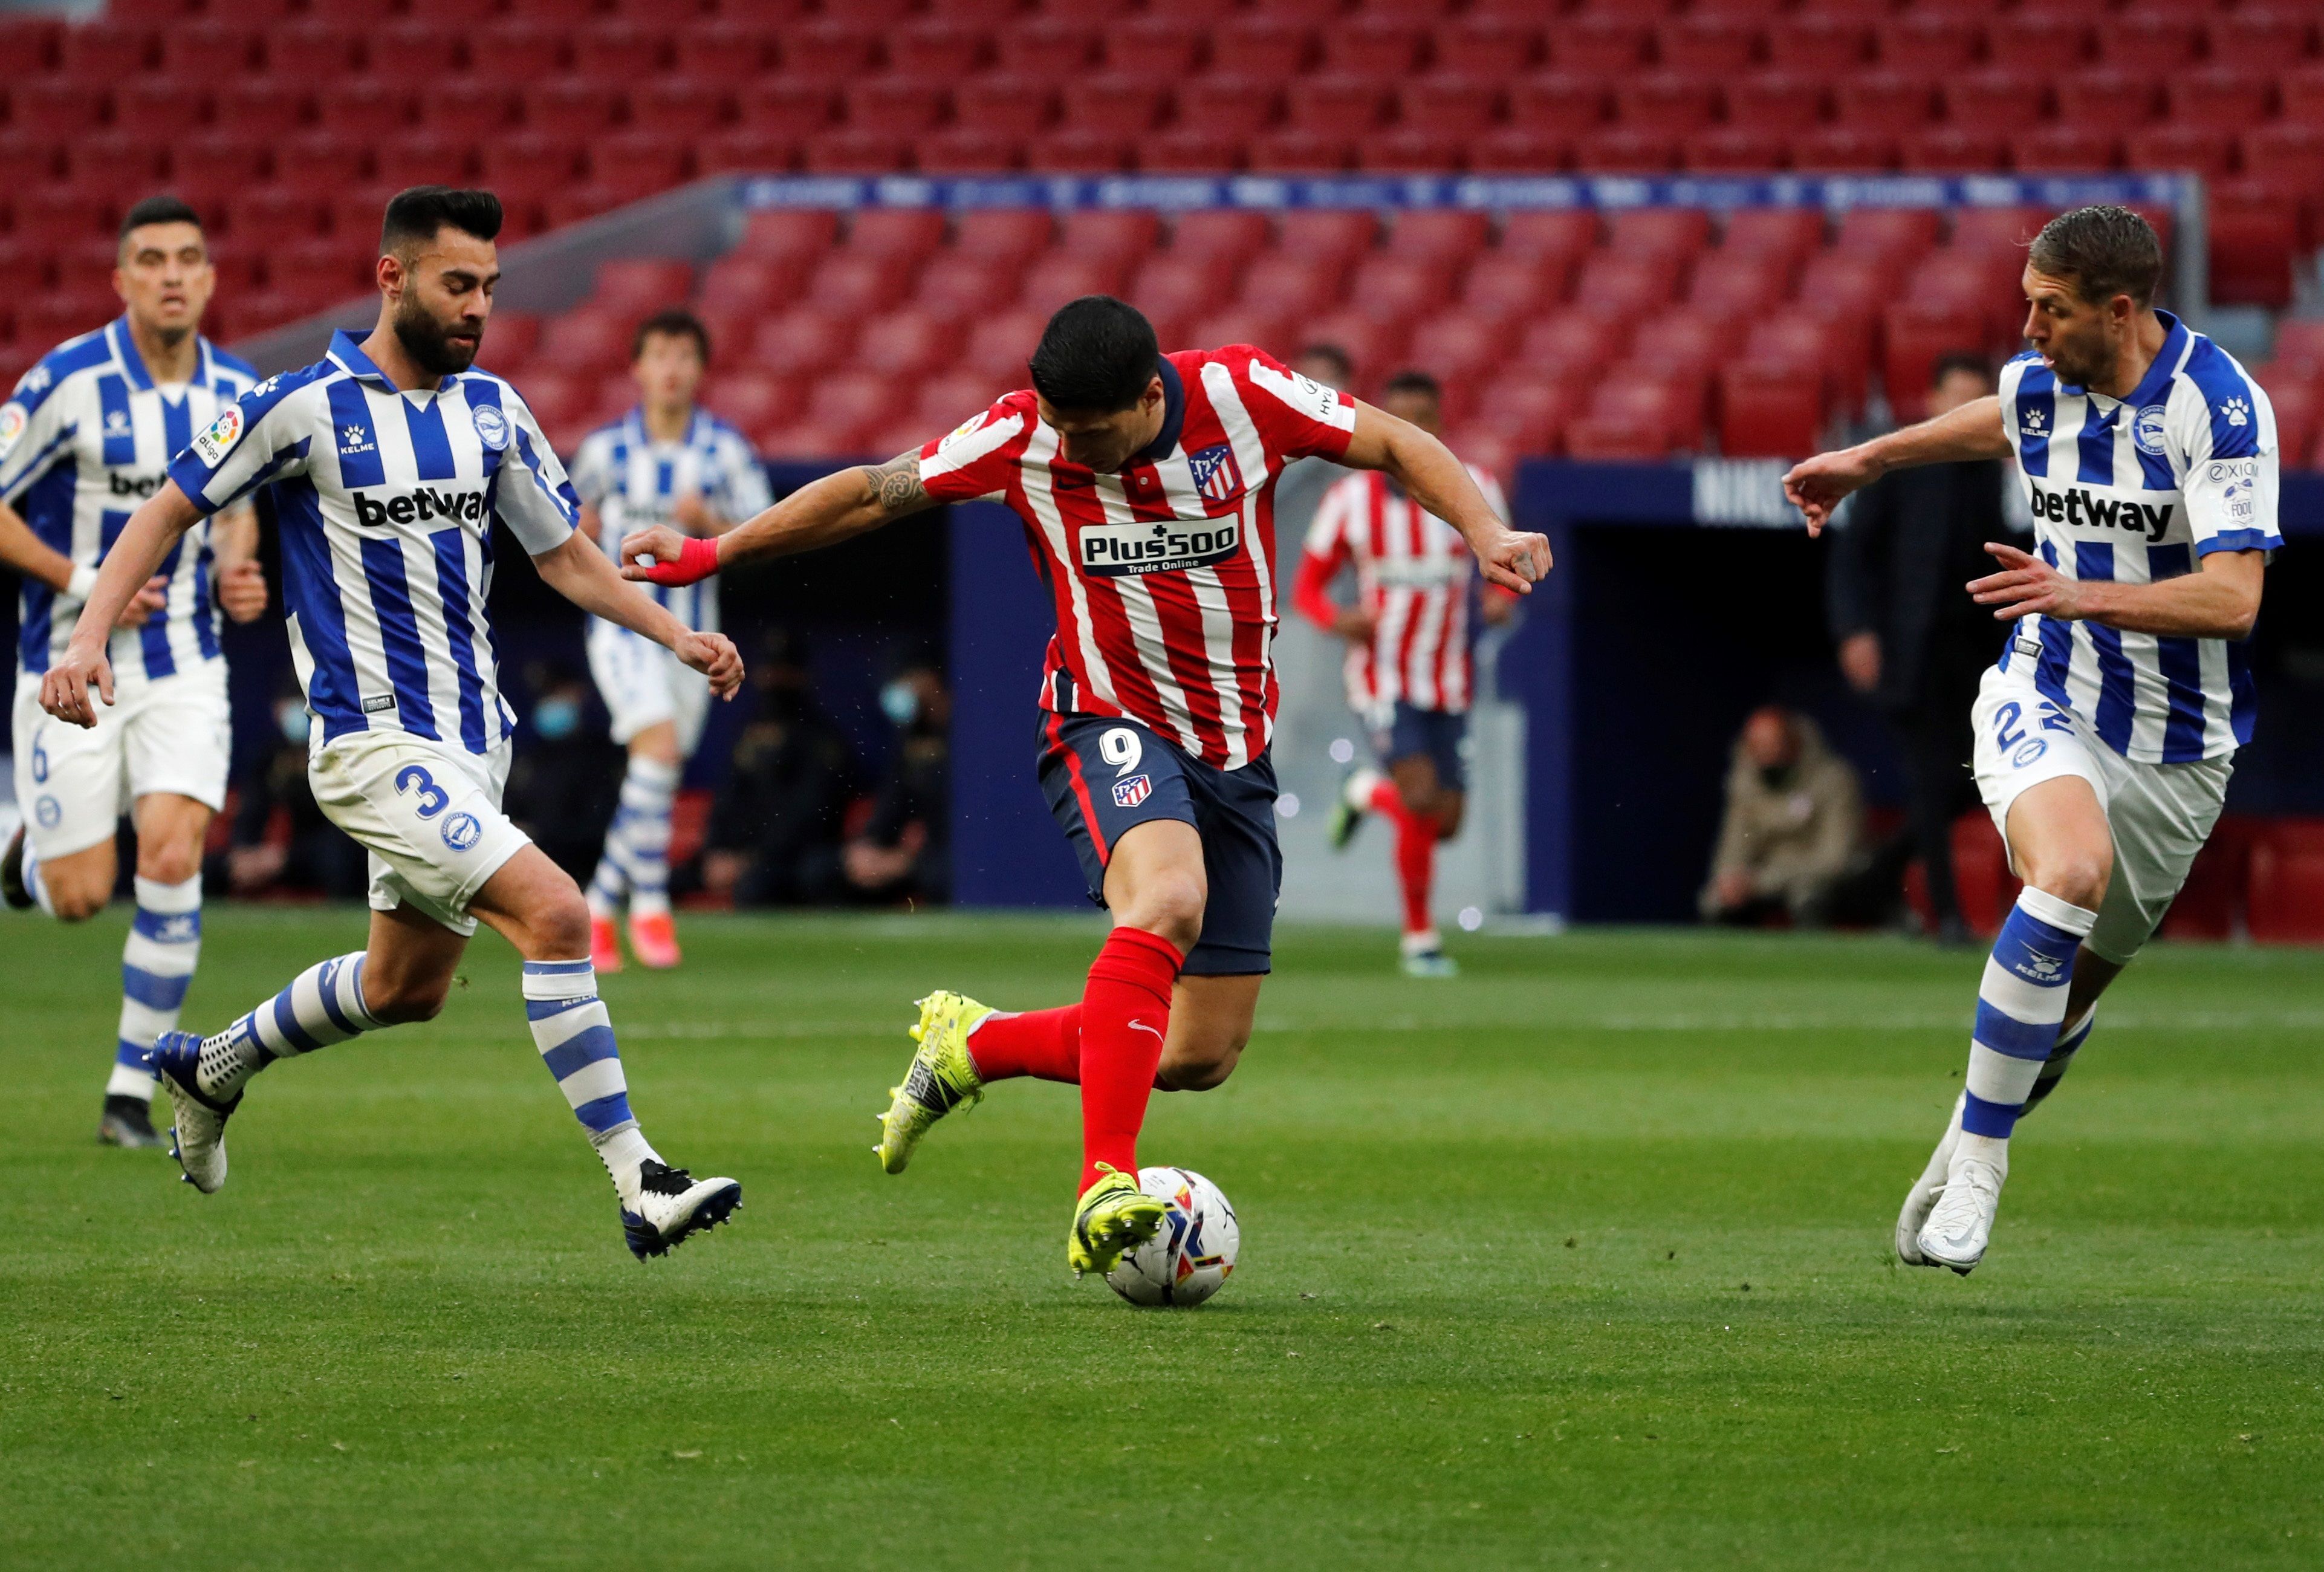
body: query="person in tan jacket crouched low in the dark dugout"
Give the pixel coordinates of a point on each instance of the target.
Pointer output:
(1793, 829)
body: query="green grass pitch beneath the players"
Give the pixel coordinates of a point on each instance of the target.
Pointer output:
(1579, 1262)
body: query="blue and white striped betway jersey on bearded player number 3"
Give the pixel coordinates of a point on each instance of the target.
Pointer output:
(385, 503)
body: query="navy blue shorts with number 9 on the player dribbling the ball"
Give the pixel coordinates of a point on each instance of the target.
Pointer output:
(1103, 778)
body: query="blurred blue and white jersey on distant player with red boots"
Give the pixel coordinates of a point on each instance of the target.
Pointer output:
(633, 480)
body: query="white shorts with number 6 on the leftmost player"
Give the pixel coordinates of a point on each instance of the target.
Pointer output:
(73, 785)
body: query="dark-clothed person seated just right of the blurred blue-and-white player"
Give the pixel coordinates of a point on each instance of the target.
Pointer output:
(780, 815)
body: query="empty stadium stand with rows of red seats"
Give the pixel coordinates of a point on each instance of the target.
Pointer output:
(292, 122)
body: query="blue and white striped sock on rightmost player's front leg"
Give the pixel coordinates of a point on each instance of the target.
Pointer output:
(2021, 1010)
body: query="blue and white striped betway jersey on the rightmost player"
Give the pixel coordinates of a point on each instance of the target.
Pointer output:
(2137, 492)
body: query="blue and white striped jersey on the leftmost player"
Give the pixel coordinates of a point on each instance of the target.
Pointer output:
(83, 443)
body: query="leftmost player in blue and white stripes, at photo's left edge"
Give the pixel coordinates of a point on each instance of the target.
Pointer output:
(85, 438)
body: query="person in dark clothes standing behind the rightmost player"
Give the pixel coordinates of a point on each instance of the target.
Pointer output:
(1909, 636)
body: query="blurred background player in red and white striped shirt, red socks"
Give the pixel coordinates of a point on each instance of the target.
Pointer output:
(1410, 659)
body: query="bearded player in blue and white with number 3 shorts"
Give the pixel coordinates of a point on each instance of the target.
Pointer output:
(389, 462)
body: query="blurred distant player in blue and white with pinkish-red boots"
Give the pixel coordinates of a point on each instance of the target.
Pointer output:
(668, 462)
